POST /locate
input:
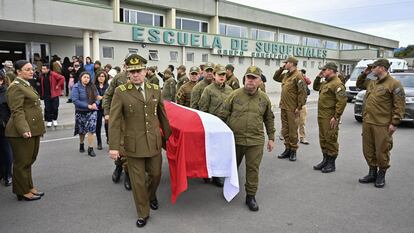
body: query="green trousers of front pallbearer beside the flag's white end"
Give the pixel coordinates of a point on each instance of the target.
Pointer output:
(253, 157)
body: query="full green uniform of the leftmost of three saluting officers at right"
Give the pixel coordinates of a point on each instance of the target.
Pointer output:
(293, 97)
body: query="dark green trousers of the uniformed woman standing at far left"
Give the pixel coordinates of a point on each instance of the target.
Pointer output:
(25, 152)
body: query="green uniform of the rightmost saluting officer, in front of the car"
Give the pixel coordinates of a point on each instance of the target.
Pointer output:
(384, 105)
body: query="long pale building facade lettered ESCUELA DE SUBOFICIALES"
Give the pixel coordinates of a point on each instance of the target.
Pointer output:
(179, 32)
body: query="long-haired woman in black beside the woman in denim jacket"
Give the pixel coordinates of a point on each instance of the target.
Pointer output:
(101, 83)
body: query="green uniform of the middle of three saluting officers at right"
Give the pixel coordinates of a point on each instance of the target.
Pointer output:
(331, 103)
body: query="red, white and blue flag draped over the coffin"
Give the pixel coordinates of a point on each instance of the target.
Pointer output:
(201, 146)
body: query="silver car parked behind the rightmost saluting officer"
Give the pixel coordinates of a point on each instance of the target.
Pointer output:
(407, 81)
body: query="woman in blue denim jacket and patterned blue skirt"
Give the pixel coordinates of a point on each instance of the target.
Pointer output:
(84, 97)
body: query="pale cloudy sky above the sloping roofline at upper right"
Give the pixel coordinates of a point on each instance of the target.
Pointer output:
(392, 19)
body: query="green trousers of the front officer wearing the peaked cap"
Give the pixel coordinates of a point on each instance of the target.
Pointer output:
(144, 188)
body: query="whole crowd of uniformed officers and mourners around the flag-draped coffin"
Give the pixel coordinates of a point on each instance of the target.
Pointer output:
(129, 103)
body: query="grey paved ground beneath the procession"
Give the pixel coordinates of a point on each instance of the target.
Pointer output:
(80, 196)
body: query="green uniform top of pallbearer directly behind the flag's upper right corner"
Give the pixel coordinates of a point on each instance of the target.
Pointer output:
(213, 97)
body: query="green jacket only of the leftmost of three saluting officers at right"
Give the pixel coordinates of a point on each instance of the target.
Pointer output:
(293, 94)
